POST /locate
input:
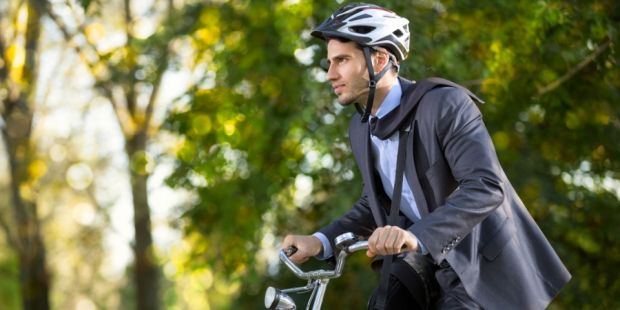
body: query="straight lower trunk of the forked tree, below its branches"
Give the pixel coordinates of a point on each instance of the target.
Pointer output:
(147, 271)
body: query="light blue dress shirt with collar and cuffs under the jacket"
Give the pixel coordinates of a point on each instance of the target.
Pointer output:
(385, 153)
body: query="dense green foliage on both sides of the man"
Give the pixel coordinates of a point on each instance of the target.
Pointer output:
(262, 121)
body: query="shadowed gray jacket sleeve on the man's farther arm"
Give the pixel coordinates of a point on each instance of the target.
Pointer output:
(358, 220)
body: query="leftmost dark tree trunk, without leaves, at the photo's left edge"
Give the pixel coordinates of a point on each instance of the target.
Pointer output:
(25, 233)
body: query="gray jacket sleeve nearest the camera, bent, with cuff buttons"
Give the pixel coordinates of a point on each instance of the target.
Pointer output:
(470, 156)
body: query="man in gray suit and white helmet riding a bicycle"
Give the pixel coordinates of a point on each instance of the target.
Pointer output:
(457, 217)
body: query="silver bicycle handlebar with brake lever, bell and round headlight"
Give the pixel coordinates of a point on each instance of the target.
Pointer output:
(276, 299)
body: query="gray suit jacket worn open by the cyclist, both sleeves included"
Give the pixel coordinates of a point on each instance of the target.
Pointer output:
(471, 215)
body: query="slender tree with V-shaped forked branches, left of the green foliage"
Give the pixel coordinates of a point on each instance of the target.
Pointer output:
(129, 76)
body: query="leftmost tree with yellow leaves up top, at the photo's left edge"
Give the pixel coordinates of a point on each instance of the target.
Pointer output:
(18, 75)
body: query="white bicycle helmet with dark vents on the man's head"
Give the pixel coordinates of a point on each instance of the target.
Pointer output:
(369, 25)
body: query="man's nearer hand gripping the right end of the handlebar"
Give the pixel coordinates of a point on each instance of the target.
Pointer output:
(389, 240)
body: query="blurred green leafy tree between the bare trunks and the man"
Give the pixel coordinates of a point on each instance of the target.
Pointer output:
(252, 135)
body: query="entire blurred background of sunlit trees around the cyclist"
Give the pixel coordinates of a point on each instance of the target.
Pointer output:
(155, 152)
